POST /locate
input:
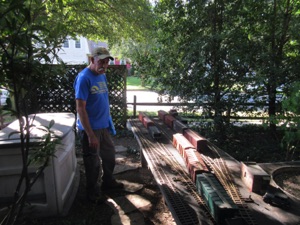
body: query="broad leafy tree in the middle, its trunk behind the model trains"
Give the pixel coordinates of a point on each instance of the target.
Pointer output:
(199, 45)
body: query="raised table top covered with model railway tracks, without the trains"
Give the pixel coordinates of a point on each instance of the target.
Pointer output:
(174, 179)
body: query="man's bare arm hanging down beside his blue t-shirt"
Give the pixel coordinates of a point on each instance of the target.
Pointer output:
(83, 116)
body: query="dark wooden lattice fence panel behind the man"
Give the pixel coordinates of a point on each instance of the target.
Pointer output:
(60, 97)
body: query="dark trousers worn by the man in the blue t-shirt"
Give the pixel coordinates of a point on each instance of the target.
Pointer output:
(98, 163)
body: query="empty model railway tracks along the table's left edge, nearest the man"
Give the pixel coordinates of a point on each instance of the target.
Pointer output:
(161, 159)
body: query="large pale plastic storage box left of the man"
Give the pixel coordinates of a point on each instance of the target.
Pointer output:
(54, 191)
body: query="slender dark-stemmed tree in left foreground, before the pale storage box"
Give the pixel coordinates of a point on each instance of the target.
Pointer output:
(25, 45)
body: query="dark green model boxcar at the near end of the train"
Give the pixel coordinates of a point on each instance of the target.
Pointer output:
(216, 198)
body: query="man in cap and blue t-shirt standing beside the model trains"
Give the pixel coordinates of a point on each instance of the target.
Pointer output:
(93, 124)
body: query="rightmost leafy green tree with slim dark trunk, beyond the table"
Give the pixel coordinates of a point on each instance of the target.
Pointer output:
(273, 33)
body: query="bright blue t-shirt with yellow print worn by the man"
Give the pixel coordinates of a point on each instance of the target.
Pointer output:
(93, 89)
